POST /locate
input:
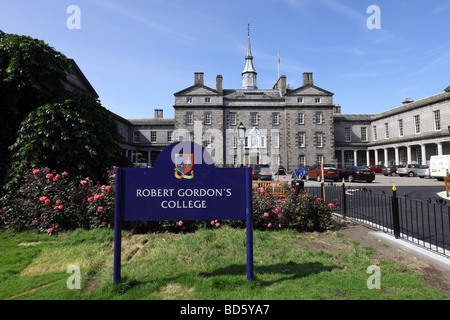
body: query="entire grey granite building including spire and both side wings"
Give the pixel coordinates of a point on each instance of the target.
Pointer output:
(289, 127)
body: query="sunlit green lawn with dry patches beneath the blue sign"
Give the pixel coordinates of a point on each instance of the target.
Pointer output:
(204, 265)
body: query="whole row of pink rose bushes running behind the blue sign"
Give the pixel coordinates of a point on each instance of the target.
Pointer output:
(51, 202)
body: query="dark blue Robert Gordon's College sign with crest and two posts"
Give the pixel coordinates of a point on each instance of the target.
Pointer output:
(185, 185)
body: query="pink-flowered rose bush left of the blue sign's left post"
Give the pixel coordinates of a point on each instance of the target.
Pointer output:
(50, 202)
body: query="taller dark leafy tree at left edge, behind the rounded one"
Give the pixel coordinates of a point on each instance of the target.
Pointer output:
(31, 74)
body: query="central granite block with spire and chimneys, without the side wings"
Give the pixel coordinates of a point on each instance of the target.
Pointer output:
(289, 127)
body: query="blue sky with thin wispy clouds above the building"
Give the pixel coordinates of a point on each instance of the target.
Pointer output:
(138, 53)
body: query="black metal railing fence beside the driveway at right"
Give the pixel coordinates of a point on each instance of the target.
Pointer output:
(424, 223)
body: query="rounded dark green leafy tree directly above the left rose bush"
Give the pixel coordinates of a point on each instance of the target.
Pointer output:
(77, 135)
